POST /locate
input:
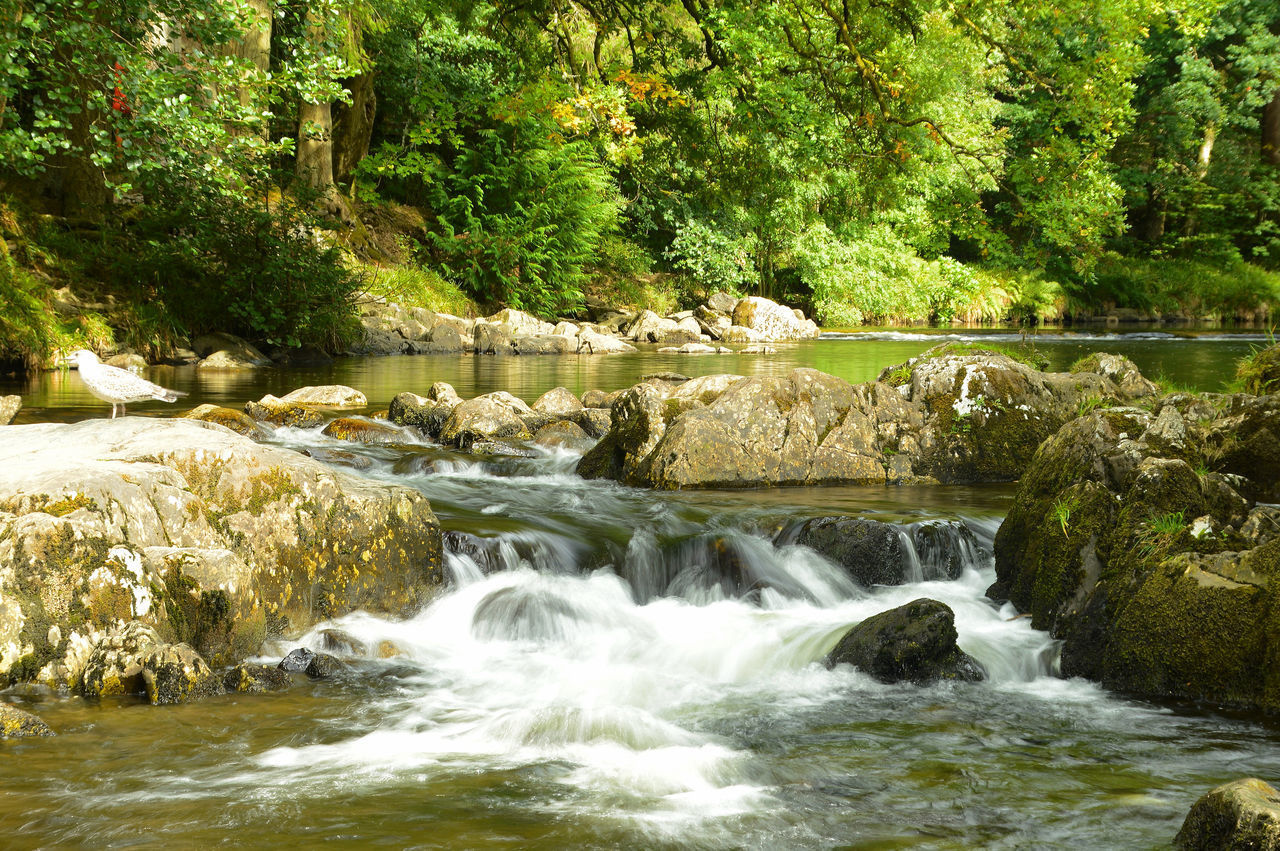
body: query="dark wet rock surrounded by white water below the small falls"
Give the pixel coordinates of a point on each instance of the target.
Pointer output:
(913, 643)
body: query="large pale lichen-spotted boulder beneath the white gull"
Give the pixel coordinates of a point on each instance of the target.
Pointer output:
(200, 534)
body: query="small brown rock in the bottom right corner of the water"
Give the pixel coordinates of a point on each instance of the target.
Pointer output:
(1235, 817)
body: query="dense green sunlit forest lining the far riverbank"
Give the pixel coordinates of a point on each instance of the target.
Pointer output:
(259, 167)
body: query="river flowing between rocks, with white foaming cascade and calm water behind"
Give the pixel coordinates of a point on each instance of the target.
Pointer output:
(620, 669)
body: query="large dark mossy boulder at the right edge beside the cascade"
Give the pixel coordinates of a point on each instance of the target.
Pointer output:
(1135, 538)
